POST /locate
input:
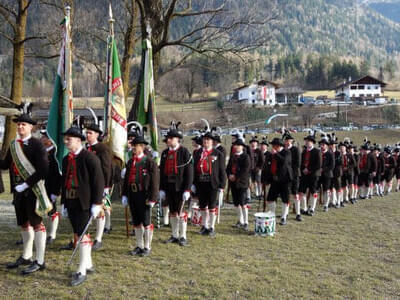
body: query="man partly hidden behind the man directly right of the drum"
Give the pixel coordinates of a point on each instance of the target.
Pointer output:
(295, 163)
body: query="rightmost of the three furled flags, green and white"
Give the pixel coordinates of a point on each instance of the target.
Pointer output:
(146, 113)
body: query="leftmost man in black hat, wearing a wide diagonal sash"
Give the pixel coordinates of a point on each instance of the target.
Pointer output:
(27, 161)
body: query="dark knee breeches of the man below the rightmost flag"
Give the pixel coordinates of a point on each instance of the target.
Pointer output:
(140, 211)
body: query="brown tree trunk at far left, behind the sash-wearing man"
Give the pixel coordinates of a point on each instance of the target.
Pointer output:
(18, 72)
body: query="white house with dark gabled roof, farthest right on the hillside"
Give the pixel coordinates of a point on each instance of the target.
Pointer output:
(366, 87)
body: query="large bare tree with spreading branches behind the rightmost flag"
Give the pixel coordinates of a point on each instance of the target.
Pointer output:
(214, 27)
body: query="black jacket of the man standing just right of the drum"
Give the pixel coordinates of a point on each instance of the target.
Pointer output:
(284, 168)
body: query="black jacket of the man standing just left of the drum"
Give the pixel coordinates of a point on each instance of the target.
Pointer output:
(242, 170)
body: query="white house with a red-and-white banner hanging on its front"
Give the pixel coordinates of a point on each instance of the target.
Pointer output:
(261, 93)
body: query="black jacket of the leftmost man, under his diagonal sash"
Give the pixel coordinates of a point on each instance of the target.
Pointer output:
(36, 153)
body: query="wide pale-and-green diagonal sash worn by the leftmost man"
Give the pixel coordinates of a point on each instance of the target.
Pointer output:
(25, 169)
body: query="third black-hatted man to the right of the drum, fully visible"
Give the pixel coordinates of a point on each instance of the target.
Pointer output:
(310, 168)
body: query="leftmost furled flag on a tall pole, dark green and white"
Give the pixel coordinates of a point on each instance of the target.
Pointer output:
(60, 113)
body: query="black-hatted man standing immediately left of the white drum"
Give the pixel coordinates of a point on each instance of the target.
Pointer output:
(238, 172)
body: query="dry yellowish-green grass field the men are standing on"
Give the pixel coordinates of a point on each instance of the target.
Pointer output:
(350, 253)
